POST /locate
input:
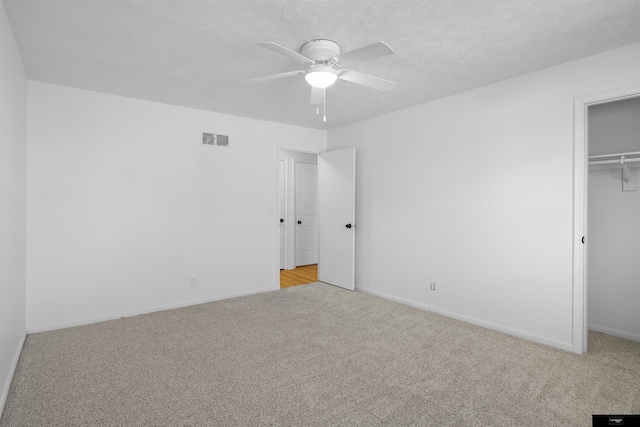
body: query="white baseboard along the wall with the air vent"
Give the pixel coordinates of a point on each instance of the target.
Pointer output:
(97, 319)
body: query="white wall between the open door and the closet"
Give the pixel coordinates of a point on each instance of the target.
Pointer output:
(474, 192)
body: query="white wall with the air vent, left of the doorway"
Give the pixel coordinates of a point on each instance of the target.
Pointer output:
(125, 205)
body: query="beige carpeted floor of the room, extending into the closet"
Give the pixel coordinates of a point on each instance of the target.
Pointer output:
(313, 355)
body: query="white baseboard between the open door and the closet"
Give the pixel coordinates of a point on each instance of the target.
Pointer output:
(496, 327)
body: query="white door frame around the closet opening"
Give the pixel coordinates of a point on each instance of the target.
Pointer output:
(580, 204)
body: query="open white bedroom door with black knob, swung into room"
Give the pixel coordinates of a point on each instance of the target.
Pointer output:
(337, 214)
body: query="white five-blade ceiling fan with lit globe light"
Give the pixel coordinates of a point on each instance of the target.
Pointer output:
(325, 64)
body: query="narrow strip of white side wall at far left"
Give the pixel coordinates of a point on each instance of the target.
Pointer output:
(13, 178)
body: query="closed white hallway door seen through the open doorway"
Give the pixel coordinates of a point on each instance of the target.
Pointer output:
(306, 213)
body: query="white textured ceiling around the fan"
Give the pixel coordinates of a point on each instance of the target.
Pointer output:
(196, 53)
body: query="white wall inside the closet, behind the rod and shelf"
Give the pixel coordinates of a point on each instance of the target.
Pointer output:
(614, 225)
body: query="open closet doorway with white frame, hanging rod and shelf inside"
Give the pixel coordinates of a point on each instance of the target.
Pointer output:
(607, 216)
